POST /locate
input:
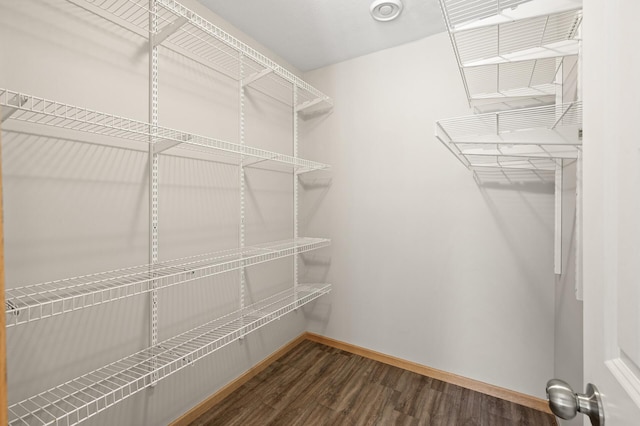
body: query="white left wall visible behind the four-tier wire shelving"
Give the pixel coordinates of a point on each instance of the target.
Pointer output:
(76, 208)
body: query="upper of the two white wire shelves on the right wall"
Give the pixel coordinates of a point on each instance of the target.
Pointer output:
(507, 51)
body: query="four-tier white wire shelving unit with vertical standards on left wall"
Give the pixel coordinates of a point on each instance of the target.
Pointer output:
(164, 24)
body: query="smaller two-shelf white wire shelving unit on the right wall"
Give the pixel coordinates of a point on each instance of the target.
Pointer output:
(512, 56)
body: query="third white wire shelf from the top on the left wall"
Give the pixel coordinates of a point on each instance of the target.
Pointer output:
(38, 301)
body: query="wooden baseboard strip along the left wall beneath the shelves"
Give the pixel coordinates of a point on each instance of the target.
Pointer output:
(230, 387)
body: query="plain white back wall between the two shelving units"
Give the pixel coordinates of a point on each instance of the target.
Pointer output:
(426, 264)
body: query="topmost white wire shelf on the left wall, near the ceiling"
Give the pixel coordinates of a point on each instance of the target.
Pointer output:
(192, 36)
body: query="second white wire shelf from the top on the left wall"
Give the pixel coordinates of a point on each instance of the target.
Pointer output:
(26, 108)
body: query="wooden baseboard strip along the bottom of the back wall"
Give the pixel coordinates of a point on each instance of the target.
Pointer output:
(475, 385)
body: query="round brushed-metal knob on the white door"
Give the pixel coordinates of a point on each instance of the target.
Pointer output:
(565, 403)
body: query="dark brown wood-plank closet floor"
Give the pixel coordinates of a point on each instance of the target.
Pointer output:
(318, 385)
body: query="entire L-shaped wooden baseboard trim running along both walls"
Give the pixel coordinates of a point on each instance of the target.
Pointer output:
(475, 385)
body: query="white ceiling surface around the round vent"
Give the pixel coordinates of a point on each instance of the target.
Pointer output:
(310, 34)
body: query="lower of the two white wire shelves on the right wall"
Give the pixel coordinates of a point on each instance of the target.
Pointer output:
(523, 139)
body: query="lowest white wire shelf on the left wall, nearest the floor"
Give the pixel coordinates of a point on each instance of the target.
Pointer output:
(81, 398)
